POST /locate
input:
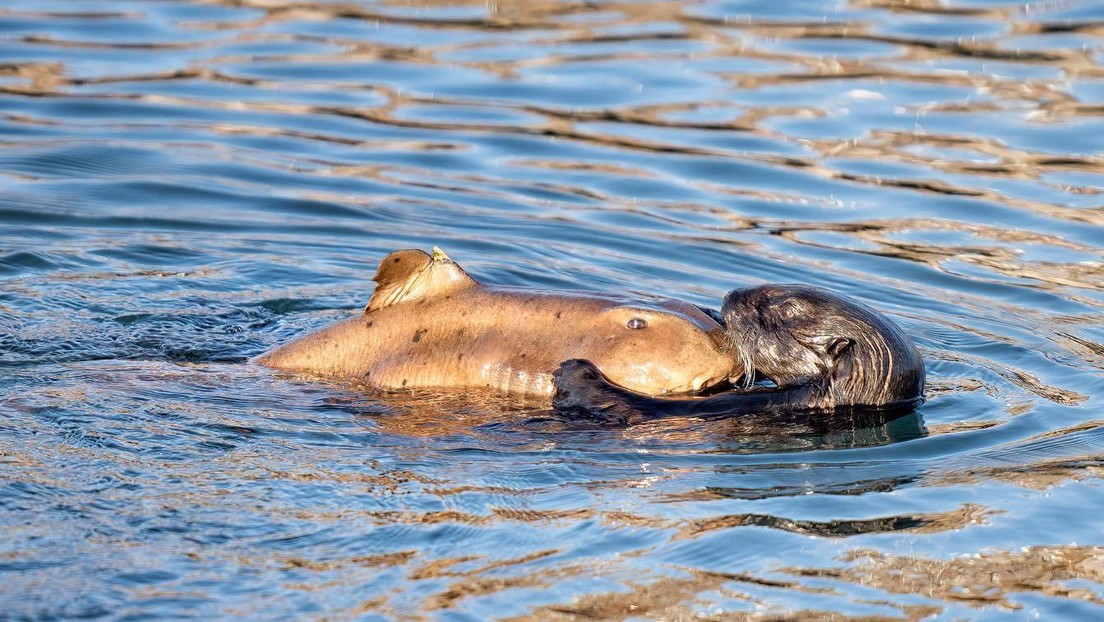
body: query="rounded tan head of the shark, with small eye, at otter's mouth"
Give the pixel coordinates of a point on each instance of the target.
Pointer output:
(659, 349)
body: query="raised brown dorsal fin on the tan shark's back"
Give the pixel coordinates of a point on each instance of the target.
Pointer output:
(413, 275)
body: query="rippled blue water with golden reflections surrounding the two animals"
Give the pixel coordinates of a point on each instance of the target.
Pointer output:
(184, 185)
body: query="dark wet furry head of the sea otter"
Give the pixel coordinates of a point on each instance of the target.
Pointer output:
(801, 335)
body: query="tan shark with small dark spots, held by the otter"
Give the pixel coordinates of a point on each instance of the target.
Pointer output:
(430, 324)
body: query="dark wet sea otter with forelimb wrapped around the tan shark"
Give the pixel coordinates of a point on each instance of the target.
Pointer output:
(823, 352)
